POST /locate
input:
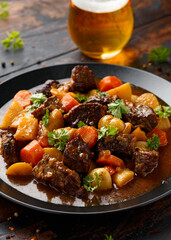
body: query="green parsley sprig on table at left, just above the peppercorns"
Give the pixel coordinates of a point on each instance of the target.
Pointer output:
(13, 40)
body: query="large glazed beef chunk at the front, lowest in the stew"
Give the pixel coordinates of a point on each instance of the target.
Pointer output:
(56, 174)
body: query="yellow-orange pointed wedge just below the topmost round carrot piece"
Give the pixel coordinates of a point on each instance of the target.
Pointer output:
(124, 91)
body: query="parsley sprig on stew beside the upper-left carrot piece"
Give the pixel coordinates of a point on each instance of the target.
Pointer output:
(37, 99)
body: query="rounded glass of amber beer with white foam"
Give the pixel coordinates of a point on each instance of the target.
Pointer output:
(100, 28)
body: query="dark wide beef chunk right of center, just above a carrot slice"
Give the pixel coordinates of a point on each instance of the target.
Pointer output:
(121, 145)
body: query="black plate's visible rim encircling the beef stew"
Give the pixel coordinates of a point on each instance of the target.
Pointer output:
(152, 83)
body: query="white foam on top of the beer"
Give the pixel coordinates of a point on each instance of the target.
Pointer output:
(100, 6)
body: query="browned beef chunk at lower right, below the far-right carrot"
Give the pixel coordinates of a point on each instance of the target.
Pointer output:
(145, 161)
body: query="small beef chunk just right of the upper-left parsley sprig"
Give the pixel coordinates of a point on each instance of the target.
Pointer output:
(51, 103)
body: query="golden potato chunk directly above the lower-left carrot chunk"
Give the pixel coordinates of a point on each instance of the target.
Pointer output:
(27, 129)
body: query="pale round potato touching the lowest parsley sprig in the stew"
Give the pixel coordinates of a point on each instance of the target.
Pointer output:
(104, 177)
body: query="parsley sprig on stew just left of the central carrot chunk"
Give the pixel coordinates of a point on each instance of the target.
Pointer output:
(58, 139)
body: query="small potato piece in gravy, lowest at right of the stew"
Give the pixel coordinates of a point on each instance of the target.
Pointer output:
(123, 177)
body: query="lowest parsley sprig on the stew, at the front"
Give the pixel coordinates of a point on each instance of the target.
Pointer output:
(87, 181)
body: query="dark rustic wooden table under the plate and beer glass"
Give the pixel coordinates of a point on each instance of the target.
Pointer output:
(43, 26)
